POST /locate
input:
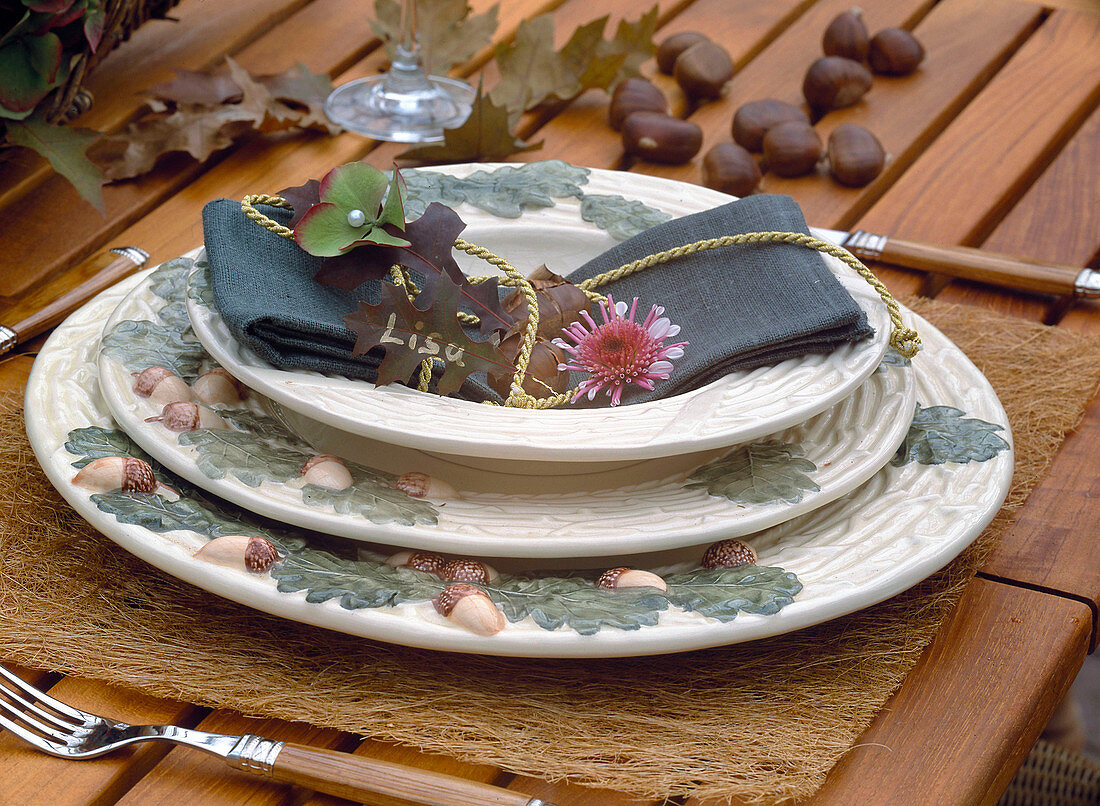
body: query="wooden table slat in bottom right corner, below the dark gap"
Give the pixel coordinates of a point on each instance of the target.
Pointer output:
(996, 670)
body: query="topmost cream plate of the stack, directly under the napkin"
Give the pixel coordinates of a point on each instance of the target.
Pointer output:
(740, 407)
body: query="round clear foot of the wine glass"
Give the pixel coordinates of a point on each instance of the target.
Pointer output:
(383, 109)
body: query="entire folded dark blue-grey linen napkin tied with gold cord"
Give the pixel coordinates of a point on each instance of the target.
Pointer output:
(739, 307)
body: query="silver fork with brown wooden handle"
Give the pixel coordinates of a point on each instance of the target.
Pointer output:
(60, 730)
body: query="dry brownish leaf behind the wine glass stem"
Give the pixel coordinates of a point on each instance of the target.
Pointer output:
(447, 32)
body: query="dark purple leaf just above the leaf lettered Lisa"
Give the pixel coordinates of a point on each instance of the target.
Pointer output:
(431, 253)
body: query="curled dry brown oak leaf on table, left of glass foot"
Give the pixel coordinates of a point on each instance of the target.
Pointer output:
(201, 114)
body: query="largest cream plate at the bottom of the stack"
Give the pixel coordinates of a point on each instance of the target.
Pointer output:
(903, 525)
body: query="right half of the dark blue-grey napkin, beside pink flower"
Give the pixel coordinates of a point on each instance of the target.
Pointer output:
(738, 307)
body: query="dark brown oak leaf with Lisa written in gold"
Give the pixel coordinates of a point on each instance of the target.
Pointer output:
(410, 335)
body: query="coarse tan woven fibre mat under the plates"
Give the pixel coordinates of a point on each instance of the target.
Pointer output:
(756, 722)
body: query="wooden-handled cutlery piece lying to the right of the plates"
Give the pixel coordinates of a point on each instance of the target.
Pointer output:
(970, 264)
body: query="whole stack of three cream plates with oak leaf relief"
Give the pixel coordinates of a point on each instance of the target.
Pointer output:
(818, 465)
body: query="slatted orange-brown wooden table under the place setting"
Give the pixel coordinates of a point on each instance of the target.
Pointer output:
(995, 143)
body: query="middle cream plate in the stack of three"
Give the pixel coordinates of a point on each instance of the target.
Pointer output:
(644, 507)
